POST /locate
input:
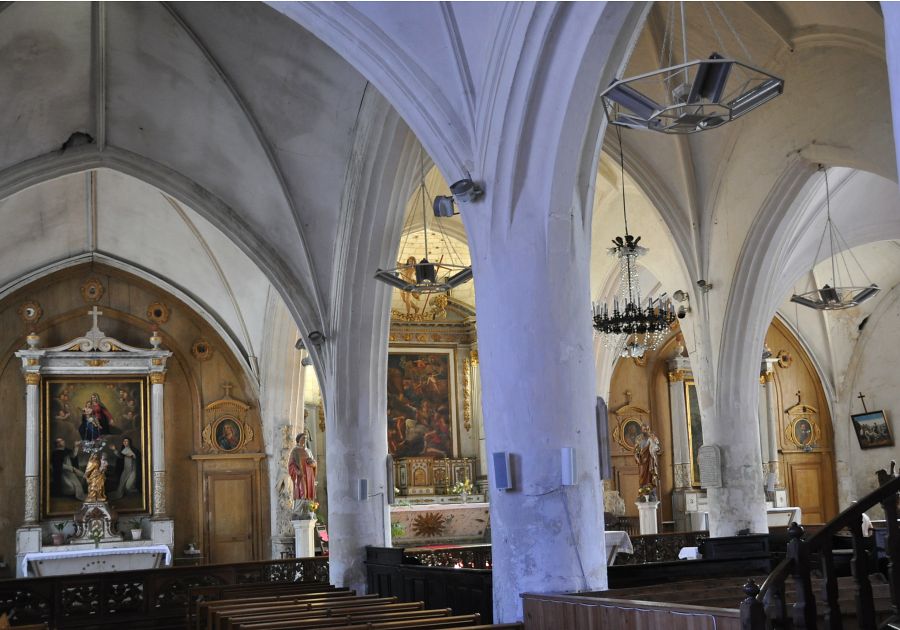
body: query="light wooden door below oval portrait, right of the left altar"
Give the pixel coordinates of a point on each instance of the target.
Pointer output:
(230, 518)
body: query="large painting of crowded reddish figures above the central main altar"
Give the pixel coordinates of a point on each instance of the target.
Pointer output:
(421, 409)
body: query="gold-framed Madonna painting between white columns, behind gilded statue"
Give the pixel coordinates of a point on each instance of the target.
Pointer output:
(108, 415)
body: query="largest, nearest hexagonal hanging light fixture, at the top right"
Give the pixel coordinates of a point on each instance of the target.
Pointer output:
(694, 95)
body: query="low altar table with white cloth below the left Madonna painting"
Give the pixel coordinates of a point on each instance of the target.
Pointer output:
(94, 560)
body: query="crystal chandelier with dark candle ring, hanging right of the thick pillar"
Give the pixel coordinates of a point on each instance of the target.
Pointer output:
(632, 326)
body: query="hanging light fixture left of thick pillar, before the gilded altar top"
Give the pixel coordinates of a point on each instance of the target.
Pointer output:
(426, 276)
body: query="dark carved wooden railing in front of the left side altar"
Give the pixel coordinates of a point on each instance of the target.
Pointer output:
(152, 598)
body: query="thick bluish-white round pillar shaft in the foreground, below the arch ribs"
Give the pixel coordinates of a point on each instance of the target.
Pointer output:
(536, 352)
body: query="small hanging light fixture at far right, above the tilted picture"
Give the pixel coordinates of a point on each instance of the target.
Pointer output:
(837, 295)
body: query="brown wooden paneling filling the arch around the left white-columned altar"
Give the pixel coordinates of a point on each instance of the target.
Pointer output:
(190, 383)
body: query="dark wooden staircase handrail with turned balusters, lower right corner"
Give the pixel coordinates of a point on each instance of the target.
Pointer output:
(767, 604)
